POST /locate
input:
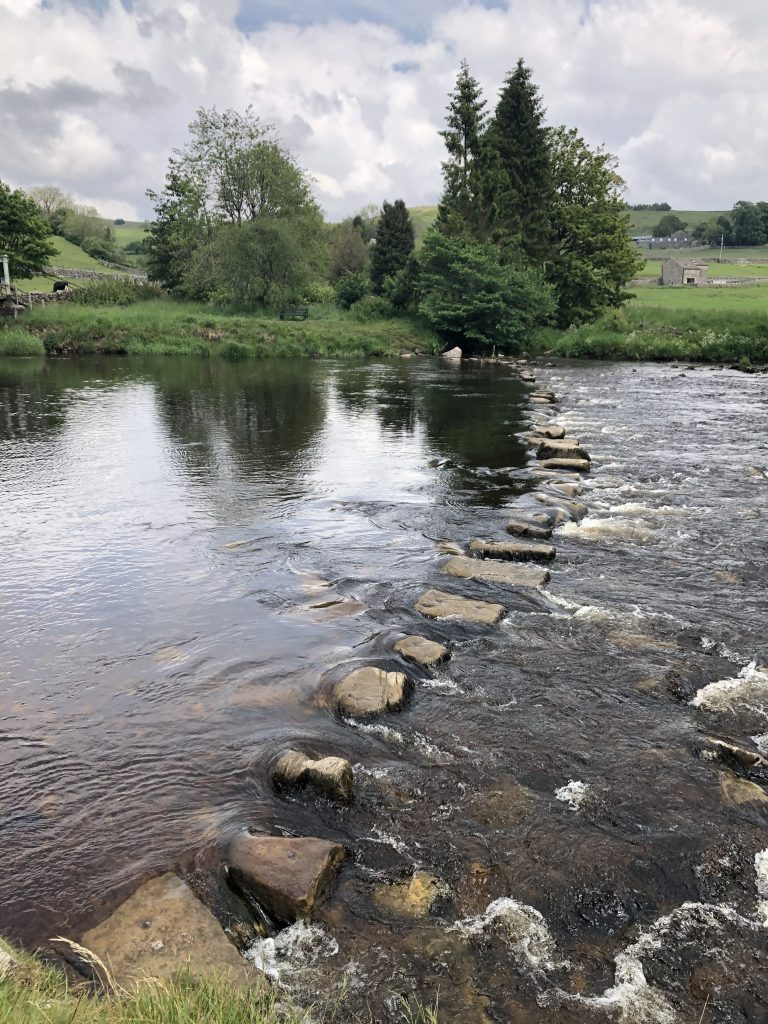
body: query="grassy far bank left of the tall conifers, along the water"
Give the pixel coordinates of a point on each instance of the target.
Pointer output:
(162, 327)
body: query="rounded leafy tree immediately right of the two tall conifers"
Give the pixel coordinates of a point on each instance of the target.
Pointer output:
(594, 257)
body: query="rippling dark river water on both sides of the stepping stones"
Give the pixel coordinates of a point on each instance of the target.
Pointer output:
(193, 552)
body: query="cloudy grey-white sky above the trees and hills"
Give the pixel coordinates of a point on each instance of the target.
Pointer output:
(96, 94)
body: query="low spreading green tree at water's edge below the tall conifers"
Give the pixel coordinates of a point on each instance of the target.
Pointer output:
(475, 300)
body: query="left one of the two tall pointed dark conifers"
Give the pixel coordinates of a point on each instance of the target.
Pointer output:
(461, 212)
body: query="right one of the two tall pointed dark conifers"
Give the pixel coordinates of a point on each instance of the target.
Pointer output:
(520, 182)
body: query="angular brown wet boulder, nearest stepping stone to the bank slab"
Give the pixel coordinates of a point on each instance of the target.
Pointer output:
(288, 877)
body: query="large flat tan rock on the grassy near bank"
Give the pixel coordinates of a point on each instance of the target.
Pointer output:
(161, 931)
